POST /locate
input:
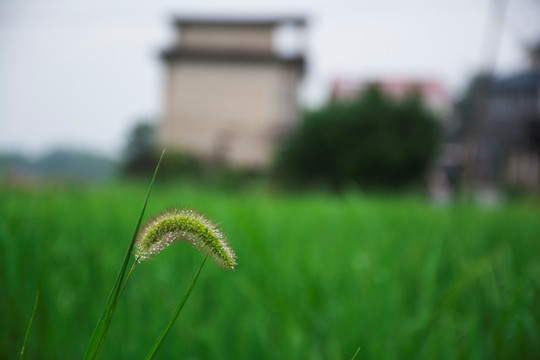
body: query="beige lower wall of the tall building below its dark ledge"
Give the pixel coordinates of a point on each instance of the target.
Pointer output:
(229, 112)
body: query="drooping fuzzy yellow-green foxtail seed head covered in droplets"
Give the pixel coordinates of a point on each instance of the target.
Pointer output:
(186, 224)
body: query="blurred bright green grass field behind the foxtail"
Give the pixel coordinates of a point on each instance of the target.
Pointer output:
(318, 276)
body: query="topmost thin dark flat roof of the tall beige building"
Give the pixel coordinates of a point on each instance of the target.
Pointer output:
(267, 21)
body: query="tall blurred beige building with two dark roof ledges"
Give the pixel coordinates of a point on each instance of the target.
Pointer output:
(230, 96)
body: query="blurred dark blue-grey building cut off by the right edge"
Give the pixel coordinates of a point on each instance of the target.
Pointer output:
(504, 138)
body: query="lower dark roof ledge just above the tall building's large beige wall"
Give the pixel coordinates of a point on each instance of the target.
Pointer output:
(180, 54)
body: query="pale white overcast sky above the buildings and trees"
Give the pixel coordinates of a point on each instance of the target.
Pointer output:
(81, 73)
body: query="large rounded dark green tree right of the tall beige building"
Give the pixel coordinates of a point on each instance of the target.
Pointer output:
(373, 141)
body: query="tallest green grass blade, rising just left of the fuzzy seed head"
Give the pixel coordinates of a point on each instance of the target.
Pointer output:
(100, 332)
